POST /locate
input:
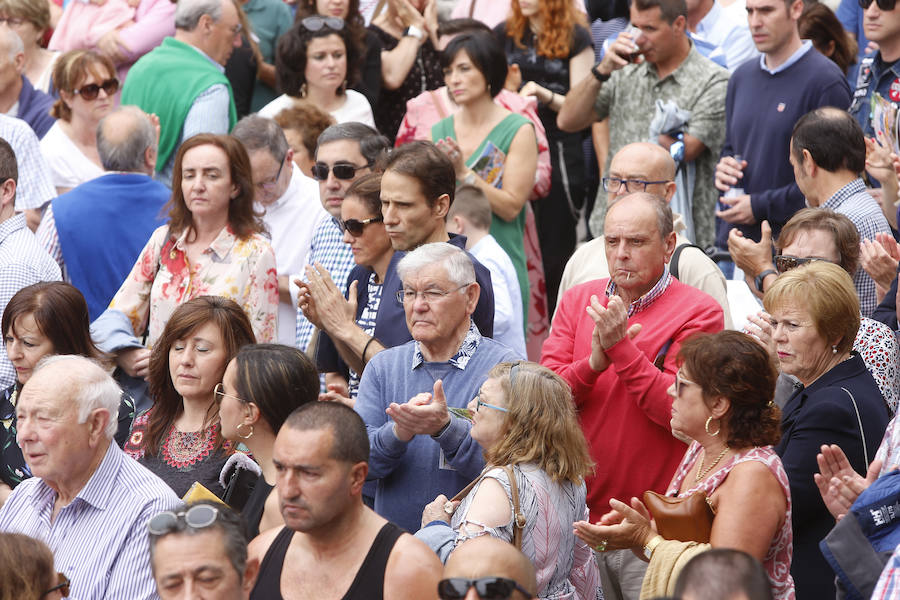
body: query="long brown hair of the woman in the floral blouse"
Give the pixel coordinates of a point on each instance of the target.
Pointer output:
(242, 217)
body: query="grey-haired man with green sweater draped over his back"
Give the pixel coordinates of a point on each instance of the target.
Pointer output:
(182, 80)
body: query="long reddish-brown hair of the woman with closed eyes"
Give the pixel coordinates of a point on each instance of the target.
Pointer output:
(236, 332)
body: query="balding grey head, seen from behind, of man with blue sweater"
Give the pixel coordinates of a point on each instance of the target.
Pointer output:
(123, 148)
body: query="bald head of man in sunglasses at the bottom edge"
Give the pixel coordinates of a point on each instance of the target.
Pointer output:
(487, 556)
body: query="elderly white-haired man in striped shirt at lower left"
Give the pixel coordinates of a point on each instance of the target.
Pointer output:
(87, 501)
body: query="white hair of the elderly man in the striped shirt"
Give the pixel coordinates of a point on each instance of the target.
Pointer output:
(92, 387)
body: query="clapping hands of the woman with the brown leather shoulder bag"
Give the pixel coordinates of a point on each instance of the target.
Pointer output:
(624, 527)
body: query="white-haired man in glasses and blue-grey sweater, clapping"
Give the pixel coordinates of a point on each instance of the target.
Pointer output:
(419, 448)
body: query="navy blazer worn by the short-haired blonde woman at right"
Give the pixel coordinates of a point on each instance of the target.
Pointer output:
(823, 413)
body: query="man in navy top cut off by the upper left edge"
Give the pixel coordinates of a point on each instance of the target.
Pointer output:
(18, 98)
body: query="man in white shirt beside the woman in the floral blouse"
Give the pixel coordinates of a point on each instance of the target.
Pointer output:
(290, 203)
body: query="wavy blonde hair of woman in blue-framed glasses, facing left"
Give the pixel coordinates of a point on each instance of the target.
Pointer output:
(542, 425)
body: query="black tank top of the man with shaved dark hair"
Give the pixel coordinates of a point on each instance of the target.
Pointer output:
(367, 585)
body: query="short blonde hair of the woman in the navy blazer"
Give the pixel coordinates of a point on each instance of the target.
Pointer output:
(827, 292)
